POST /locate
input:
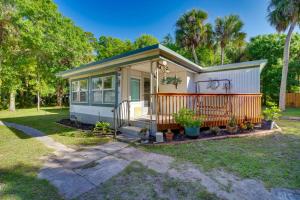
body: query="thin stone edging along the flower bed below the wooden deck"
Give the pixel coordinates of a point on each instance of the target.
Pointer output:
(257, 134)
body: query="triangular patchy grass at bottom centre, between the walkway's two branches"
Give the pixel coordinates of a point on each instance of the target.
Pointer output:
(138, 182)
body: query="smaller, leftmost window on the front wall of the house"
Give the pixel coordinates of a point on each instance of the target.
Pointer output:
(80, 91)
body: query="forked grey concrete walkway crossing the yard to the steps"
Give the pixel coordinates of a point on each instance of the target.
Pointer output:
(77, 172)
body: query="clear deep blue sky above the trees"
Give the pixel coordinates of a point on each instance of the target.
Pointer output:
(127, 19)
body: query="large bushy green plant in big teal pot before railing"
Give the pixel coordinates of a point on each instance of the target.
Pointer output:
(188, 119)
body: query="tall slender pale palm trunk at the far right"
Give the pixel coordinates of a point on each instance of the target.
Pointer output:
(286, 54)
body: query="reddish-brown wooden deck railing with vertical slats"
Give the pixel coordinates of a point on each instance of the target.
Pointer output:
(215, 108)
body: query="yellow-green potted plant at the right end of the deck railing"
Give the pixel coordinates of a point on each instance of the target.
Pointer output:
(270, 114)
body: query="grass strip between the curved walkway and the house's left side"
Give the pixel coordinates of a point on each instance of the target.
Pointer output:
(45, 120)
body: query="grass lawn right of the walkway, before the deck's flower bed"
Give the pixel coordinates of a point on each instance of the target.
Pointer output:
(274, 159)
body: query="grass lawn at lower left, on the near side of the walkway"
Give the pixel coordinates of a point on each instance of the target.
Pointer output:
(19, 166)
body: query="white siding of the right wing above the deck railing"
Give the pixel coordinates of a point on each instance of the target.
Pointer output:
(242, 81)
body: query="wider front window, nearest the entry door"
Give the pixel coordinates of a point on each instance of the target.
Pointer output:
(103, 90)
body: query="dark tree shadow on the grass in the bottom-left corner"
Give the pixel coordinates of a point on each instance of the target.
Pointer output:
(21, 182)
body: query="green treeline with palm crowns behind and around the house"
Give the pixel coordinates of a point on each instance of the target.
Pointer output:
(37, 41)
